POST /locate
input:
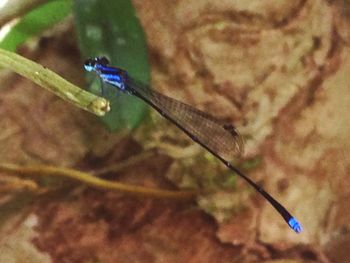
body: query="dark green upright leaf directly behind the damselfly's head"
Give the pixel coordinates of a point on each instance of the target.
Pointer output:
(110, 28)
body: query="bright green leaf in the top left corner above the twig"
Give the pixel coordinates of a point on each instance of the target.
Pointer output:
(36, 21)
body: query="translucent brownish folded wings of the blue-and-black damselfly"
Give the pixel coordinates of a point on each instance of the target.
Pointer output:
(220, 138)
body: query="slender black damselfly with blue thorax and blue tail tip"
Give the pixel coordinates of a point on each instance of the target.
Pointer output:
(220, 139)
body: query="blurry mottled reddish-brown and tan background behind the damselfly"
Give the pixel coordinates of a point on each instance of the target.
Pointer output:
(279, 70)
